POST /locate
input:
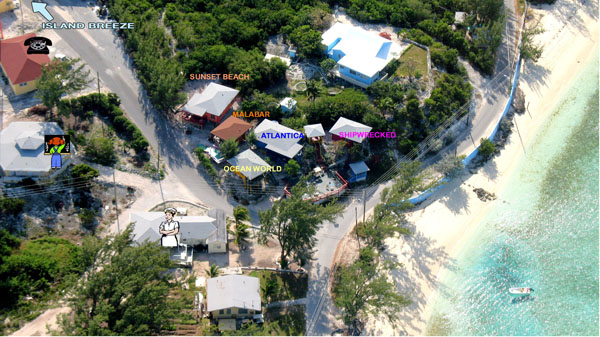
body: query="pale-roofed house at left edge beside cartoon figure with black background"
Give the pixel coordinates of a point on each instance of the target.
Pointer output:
(22, 149)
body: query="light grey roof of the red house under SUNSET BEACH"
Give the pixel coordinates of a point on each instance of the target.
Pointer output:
(213, 100)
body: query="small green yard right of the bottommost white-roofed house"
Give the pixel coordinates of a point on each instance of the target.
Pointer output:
(290, 285)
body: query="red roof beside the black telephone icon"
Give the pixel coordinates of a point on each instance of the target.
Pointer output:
(19, 66)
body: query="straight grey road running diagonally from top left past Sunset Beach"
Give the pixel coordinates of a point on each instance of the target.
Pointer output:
(104, 53)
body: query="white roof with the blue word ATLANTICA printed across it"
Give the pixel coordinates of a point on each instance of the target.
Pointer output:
(287, 147)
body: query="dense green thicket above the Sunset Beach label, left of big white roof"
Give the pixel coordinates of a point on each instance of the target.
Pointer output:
(213, 37)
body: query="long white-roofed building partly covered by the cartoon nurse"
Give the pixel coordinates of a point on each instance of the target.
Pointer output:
(209, 230)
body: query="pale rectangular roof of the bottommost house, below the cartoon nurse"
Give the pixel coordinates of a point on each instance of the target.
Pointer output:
(233, 291)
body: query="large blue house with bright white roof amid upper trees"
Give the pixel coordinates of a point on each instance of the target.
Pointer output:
(360, 55)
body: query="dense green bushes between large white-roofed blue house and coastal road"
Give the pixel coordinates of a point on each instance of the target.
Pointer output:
(425, 19)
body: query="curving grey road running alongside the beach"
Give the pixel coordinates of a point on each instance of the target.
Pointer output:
(320, 311)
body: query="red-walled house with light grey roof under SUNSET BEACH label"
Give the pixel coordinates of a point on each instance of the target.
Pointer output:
(211, 105)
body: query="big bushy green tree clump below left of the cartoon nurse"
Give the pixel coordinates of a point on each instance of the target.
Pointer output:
(125, 291)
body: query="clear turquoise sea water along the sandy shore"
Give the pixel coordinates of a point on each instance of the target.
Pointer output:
(544, 235)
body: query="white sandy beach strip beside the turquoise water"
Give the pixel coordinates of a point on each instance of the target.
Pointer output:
(444, 222)
